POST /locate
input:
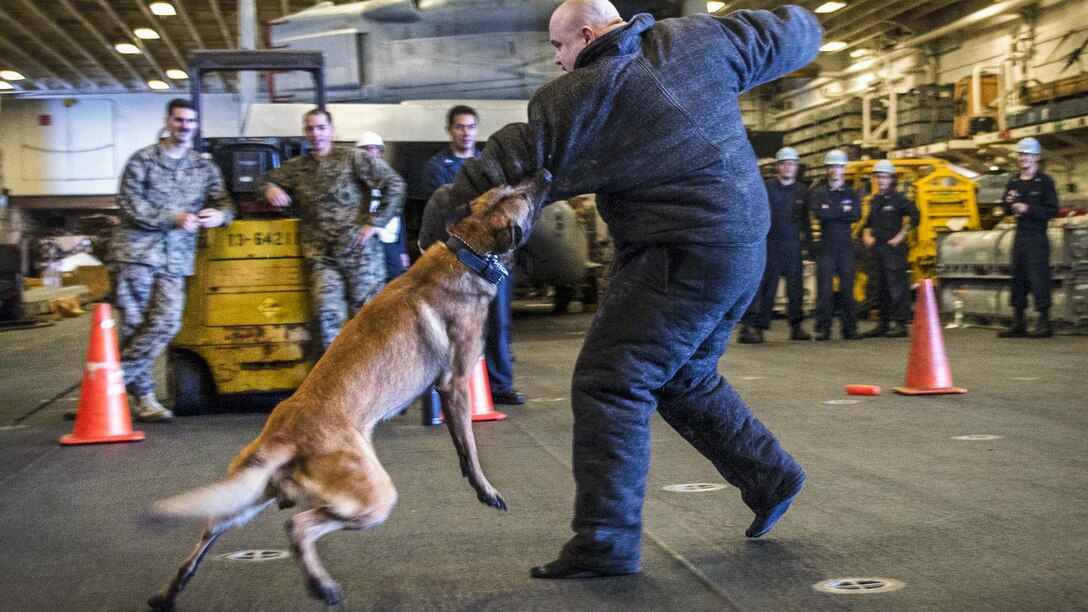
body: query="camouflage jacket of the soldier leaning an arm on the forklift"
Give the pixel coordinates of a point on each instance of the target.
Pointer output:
(338, 195)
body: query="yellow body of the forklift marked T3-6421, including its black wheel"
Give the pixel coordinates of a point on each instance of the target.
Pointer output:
(245, 325)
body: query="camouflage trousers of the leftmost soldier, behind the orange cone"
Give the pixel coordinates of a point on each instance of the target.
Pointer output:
(150, 302)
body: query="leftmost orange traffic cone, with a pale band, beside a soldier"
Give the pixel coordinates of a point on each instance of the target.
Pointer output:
(104, 405)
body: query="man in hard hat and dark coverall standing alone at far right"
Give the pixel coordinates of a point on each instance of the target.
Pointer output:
(1033, 201)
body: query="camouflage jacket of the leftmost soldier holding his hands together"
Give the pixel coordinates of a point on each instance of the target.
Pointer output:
(153, 191)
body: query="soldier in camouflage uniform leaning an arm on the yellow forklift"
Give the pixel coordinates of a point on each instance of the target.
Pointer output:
(342, 197)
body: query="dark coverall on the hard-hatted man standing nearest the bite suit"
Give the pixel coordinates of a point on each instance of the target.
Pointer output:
(789, 222)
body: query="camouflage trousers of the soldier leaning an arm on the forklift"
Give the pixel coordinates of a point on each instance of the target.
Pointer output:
(345, 284)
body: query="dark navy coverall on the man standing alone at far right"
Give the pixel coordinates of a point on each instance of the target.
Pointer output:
(1031, 258)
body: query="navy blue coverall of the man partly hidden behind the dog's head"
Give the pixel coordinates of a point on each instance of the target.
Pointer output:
(440, 170)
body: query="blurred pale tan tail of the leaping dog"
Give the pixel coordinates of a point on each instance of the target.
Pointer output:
(234, 494)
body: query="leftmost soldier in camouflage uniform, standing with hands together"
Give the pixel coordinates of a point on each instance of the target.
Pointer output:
(168, 193)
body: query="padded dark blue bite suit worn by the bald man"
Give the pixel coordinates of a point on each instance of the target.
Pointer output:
(690, 230)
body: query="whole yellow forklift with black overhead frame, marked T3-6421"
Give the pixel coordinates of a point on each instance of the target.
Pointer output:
(245, 328)
